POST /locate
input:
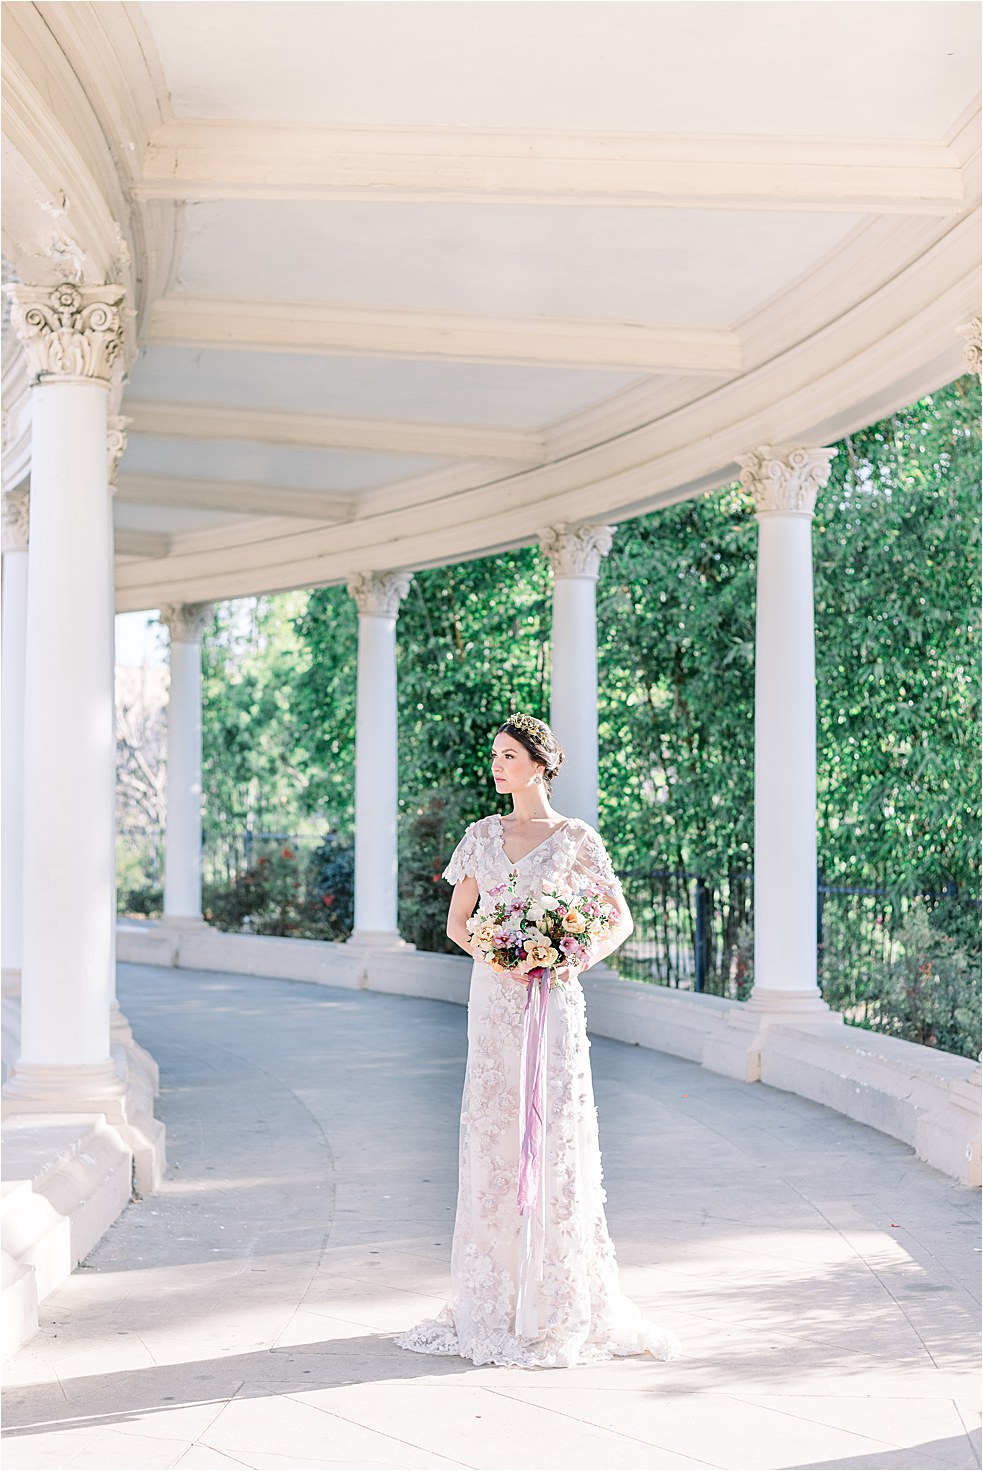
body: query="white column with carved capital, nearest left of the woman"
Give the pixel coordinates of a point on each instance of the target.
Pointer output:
(377, 596)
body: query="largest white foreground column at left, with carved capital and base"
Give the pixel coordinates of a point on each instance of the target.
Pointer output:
(73, 338)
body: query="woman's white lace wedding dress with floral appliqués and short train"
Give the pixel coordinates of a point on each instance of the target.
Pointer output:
(558, 1276)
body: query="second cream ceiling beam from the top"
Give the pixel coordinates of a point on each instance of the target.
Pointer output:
(322, 327)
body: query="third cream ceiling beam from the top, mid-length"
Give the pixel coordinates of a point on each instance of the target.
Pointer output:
(314, 432)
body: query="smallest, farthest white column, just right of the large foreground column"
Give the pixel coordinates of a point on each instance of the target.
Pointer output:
(183, 833)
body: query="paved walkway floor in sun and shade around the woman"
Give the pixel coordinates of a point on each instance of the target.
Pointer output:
(822, 1279)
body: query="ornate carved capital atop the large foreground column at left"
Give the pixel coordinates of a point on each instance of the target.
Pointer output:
(70, 332)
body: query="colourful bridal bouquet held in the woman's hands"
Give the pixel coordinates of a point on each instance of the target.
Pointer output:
(536, 935)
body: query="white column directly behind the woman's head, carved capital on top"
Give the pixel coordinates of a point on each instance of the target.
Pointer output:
(575, 554)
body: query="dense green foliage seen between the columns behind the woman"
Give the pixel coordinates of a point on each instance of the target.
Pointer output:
(897, 555)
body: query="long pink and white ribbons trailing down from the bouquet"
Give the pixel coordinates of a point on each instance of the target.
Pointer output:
(532, 1195)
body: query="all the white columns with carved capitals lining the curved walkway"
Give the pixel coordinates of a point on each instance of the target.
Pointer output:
(58, 717)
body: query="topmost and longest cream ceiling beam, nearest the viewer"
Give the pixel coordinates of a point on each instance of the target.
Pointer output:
(201, 160)
